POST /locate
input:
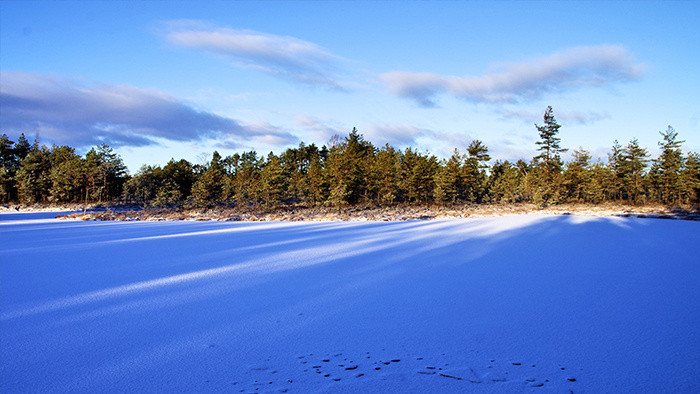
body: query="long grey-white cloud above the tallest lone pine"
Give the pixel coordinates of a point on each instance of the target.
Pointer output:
(567, 70)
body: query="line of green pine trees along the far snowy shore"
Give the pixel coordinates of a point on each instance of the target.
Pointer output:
(351, 171)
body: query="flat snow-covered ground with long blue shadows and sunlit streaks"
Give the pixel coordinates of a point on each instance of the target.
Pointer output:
(507, 304)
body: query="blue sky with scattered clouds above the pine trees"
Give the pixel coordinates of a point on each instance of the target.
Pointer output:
(179, 79)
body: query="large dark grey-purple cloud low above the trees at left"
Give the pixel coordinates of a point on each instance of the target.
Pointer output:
(67, 112)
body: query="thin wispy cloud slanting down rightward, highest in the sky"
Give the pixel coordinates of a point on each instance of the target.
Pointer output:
(281, 56)
